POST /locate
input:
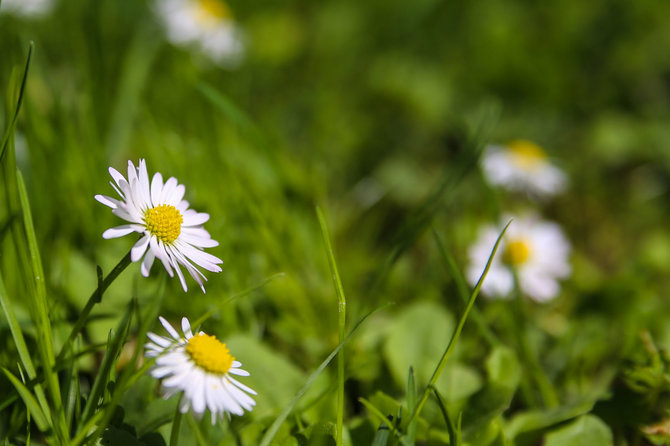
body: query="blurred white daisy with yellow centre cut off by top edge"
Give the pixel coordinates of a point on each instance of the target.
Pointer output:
(207, 24)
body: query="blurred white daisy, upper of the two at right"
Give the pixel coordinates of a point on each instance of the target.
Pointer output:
(522, 166)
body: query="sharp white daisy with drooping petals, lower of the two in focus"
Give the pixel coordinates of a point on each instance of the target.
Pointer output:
(201, 366)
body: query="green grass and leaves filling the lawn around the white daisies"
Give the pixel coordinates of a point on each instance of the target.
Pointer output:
(376, 115)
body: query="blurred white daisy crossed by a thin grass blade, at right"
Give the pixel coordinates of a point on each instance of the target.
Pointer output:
(536, 249)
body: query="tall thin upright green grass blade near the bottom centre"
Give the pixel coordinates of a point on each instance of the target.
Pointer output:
(342, 310)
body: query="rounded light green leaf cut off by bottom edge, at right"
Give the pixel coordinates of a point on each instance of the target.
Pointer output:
(587, 430)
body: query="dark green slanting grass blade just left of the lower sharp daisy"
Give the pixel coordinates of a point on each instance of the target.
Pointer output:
(111, 355)
